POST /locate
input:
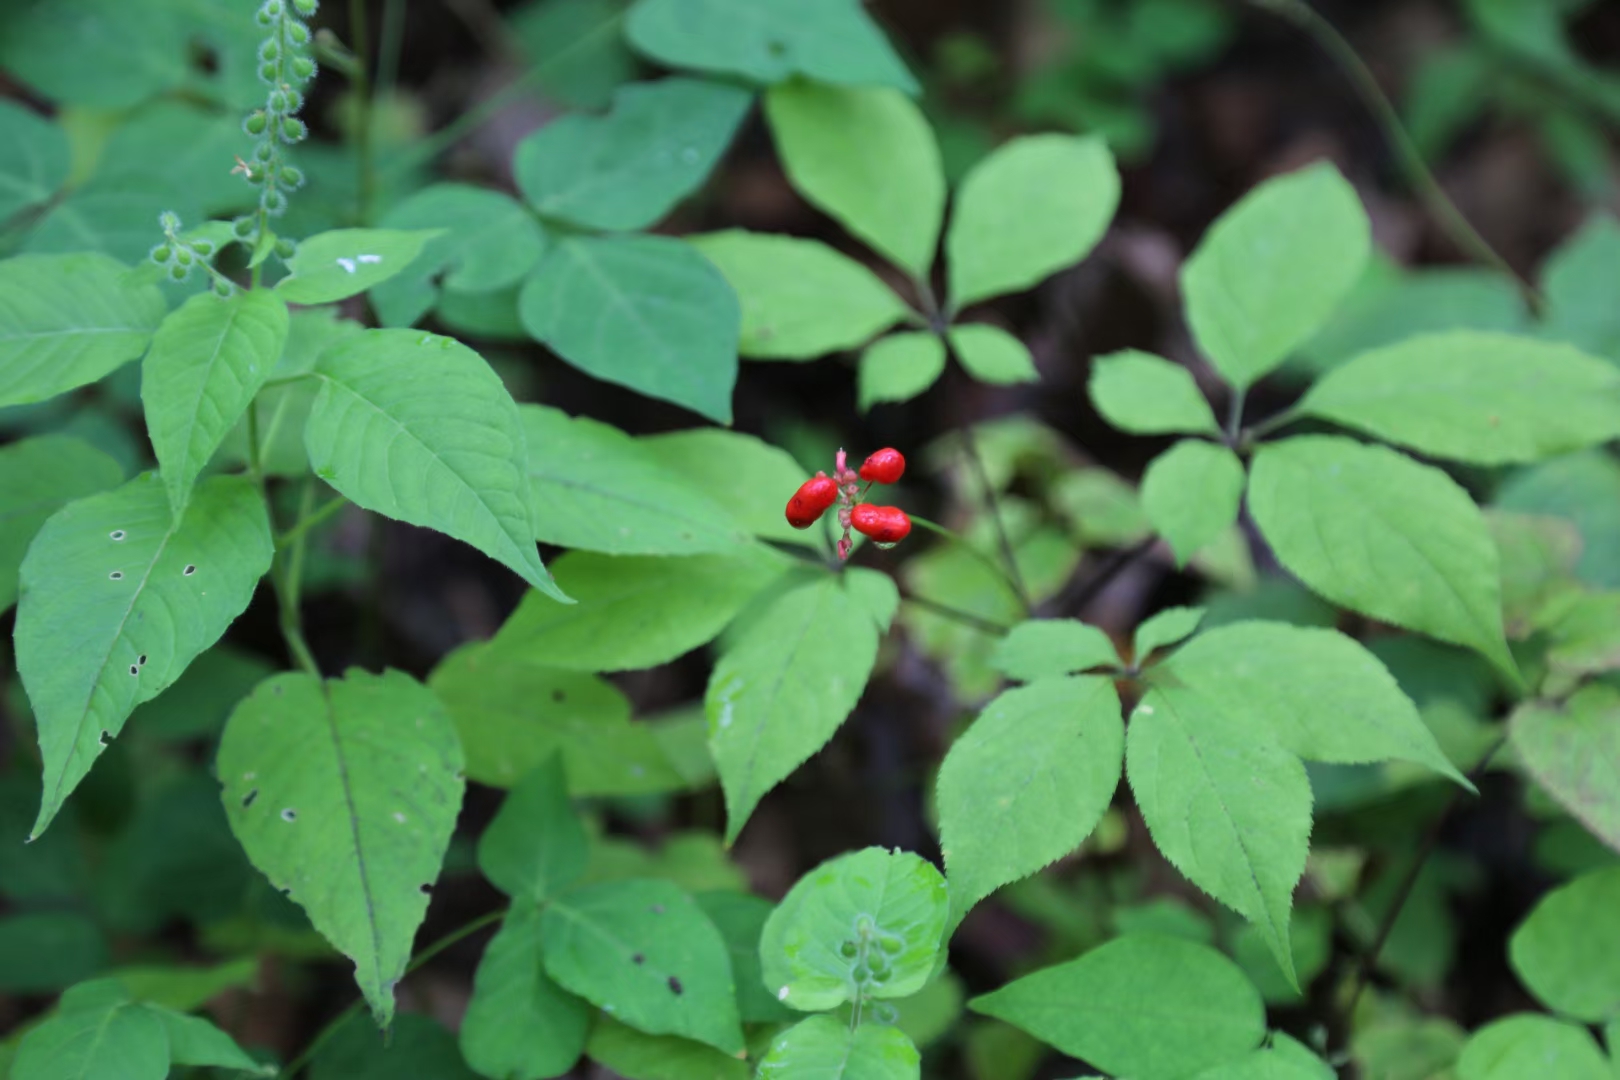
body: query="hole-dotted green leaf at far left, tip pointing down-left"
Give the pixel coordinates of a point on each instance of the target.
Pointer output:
(117, 602)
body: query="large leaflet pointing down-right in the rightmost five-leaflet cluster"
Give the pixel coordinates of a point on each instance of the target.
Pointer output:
(1383, 535)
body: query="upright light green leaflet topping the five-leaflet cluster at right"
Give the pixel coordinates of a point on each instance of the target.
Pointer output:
(1271, 271)
